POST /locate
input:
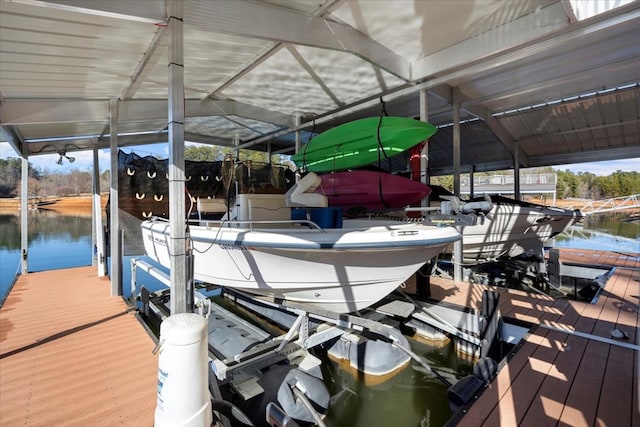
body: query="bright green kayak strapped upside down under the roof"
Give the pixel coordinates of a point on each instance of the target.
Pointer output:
(356, 144)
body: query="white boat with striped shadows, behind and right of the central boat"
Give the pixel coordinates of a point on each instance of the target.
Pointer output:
(506, 227)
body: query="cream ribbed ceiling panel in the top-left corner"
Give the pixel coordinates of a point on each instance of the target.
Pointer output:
(99, 51)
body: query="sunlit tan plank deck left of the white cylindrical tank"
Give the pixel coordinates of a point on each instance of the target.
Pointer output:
(72, 355)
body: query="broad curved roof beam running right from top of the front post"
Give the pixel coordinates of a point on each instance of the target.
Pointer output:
(286, 26)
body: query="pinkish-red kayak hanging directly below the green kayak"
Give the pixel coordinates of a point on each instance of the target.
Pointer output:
(371, 190)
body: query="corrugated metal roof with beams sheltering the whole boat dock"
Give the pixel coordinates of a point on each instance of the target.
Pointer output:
(548, 78)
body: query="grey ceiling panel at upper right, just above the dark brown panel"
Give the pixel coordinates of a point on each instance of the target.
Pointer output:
(577, 63)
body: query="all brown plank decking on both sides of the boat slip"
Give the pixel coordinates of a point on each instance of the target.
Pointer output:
(72, 355)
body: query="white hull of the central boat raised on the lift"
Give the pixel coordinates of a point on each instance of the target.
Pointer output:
(342, 270)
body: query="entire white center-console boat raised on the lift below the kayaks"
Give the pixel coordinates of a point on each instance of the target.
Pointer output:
(292, 247)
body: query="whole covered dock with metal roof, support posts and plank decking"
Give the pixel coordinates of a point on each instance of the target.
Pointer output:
(508, 84)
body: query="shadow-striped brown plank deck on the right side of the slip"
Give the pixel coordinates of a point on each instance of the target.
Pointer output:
(569, 370)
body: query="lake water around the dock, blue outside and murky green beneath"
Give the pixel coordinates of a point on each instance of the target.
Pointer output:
(59, 241)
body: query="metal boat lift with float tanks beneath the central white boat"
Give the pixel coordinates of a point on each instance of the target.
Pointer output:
(239, 351)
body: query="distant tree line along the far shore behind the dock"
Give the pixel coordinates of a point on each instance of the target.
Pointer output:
(583, 185)
